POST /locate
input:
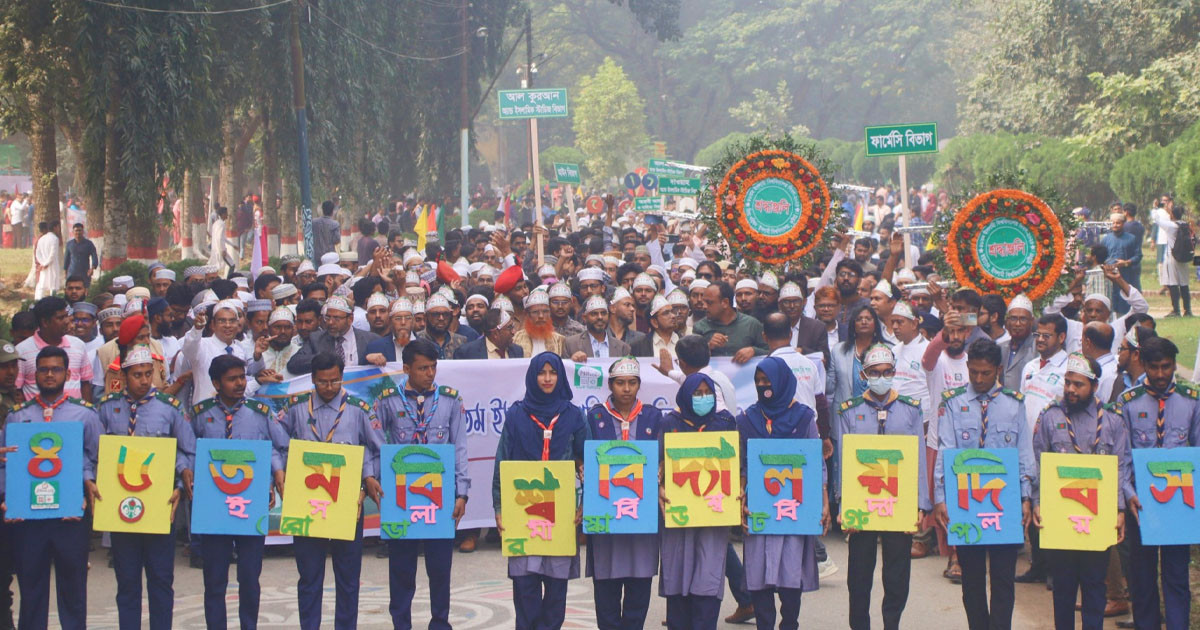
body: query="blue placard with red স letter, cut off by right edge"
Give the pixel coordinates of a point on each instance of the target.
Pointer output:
(1165, 481)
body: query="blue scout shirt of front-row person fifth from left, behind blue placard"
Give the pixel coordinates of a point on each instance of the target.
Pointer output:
(435, 417)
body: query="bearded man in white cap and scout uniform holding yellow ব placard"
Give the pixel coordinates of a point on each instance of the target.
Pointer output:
(1081, 424)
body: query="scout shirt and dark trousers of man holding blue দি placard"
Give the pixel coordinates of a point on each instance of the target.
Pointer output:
(991, 421)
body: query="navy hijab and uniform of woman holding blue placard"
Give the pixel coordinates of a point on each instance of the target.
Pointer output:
(779, 565)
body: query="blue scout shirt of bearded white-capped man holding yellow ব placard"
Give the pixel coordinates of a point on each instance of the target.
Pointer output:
(1097, 431)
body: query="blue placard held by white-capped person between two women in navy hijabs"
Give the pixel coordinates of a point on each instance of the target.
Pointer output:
(621, 487)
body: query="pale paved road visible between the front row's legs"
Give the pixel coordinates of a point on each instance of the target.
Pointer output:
(482, 597)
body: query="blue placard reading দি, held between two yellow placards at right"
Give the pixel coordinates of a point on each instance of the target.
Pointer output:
(983, 496)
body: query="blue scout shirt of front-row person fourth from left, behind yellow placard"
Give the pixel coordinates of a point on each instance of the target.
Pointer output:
(344, 421)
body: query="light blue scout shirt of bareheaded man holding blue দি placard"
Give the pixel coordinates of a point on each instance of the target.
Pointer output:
(959, 424)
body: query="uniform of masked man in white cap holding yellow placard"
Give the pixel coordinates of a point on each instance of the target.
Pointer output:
(901, 417)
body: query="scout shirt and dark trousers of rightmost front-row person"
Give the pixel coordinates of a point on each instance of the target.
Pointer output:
(1160, 421)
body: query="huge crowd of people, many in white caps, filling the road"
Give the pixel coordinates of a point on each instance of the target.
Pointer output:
(857, 344)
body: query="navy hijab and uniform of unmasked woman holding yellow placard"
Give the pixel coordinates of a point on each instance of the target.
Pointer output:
(539, 583)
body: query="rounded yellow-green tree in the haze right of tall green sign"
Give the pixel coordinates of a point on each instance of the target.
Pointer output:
(610, 121)
